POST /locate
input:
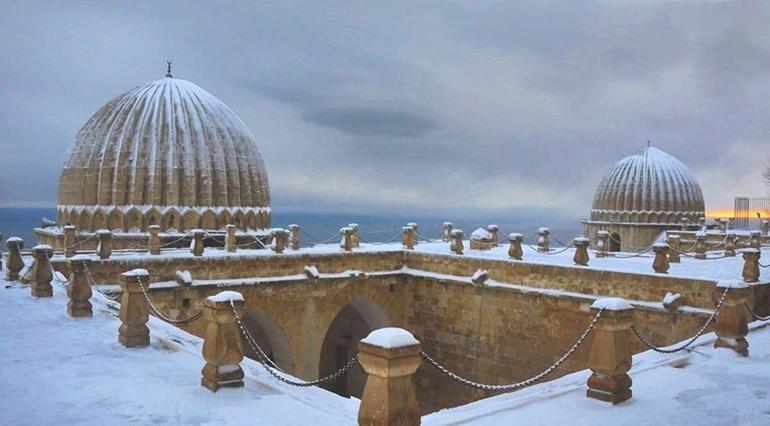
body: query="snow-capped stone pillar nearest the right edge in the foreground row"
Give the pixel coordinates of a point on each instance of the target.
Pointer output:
(731, 326)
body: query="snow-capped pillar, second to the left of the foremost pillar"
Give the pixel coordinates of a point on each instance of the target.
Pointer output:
(134, 310)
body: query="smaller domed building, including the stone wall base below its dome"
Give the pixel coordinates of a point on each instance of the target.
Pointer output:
(641, 197)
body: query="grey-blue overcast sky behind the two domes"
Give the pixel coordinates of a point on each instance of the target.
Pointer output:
(429, 106)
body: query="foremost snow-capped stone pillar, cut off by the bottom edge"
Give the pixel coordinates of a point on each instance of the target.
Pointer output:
(390, 357)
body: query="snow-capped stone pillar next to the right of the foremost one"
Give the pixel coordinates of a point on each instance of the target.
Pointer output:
(610, 357)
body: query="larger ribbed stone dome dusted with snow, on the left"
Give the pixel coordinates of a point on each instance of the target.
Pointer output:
(164, 148)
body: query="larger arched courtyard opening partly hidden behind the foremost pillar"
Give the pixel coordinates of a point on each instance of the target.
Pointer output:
(354, 322)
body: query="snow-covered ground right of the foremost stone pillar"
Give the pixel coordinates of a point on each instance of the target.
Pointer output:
(704, 387)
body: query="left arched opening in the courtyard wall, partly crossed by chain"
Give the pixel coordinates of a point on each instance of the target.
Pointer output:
(270, 338)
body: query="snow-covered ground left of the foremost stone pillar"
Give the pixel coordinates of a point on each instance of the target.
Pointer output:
(59, 370)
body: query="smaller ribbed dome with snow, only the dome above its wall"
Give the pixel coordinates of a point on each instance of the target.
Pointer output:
(650, 186)
